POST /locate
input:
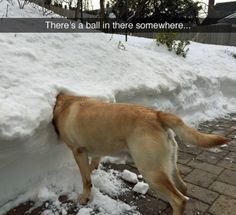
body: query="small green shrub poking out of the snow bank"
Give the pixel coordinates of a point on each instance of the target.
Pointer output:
(169, 39)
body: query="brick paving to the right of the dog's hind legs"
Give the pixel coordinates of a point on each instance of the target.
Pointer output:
(211, 174)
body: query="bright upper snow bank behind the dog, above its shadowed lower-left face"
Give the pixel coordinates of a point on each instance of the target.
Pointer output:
(198, 87)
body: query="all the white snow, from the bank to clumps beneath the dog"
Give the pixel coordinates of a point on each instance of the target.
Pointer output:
(34, 68)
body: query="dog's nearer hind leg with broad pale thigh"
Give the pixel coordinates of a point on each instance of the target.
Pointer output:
(153, 156)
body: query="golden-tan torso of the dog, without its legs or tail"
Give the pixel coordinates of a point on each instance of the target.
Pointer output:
(101, 127)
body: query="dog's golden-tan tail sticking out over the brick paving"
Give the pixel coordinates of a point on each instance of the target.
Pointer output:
(187, 134)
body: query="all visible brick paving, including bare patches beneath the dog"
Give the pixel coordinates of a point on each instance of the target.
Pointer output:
(210, 175)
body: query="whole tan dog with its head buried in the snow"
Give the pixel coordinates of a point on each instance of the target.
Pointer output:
(94, 128)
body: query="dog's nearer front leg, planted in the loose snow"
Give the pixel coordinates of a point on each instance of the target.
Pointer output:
(81, 157)
